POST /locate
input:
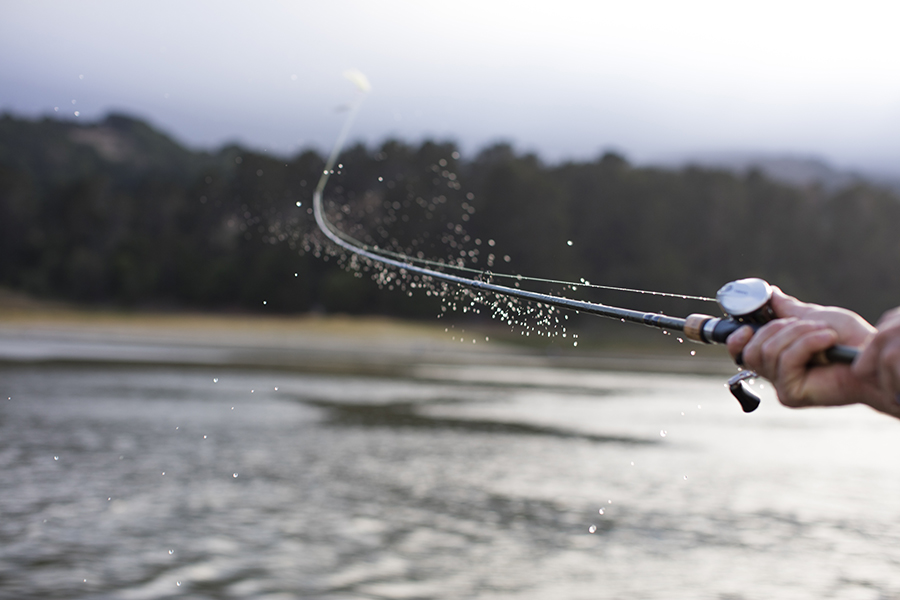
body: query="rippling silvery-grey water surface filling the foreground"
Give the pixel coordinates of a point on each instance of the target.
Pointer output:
(456, 483)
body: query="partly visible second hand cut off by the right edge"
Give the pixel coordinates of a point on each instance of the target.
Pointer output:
(879, 361)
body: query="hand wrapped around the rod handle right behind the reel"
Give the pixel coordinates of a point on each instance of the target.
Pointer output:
(782, 350)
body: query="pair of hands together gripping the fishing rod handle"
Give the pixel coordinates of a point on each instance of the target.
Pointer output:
(783, 349)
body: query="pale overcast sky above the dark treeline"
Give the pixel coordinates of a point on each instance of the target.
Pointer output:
(563, 78)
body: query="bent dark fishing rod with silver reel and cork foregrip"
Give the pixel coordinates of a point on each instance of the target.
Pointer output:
(744, 302)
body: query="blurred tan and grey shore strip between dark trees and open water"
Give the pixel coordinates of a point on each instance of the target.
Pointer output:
(42, 334)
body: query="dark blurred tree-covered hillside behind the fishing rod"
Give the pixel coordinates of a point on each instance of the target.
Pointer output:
(117, 213)
